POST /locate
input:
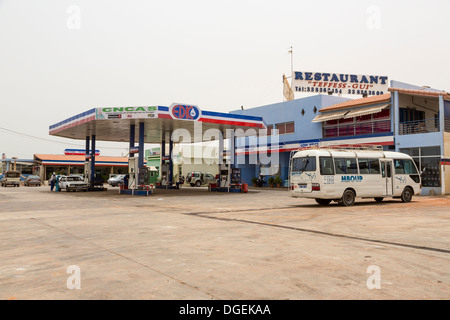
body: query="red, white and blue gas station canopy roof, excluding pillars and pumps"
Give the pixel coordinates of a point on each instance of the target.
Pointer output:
(114, 123)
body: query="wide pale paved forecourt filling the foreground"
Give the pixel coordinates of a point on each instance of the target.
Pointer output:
(193, 244)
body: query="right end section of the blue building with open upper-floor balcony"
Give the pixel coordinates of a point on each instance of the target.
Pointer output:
(422, 130)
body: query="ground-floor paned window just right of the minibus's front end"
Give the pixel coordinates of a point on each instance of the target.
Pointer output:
(427, 160)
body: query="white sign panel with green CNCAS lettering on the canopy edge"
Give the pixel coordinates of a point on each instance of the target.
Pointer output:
(126, 113)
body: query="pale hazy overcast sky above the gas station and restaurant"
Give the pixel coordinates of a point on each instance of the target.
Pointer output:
(59, 58)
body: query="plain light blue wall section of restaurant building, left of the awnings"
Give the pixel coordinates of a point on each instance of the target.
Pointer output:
(293, 120)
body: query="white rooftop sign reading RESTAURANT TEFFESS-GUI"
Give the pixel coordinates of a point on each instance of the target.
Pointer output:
(320, 82)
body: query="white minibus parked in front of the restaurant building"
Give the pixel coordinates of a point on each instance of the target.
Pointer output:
(342, 175)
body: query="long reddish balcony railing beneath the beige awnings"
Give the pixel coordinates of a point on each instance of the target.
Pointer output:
(357, 129)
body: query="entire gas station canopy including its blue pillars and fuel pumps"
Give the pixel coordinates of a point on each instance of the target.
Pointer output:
(154, 124)
